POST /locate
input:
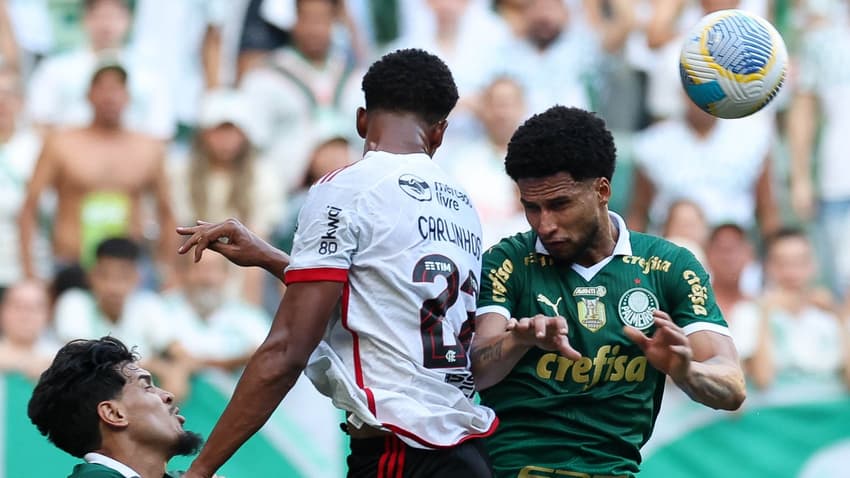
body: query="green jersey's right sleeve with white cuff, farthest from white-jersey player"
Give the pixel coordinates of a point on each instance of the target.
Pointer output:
(690, 297)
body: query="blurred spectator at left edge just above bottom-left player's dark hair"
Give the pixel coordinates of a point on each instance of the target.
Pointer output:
(25, 343)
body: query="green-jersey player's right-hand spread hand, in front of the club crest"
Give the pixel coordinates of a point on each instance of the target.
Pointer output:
(668, 350)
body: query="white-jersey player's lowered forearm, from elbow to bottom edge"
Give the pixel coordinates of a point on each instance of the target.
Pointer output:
(268, 377)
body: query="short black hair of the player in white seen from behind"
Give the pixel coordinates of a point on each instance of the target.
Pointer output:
(412, 81)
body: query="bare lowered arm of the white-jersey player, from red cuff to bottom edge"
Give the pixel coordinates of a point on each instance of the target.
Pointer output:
(298, 327)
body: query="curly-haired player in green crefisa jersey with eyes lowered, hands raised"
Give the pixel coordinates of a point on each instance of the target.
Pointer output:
(580, 319)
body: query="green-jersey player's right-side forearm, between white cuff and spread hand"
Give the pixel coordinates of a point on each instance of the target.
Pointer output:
(717, 383)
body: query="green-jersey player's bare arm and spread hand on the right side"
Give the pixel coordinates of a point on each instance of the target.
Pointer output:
(703, 364)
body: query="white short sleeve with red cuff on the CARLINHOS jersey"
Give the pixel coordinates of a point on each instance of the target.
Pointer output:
(326, 236)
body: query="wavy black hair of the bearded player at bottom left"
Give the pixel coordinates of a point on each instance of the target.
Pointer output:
(84, 373)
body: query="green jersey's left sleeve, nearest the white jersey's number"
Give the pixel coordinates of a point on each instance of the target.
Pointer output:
(500, 284)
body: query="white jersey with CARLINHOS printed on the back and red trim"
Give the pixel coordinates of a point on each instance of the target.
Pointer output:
(407, 244)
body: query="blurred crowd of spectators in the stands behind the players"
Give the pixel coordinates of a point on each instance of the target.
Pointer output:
(120, 119)
